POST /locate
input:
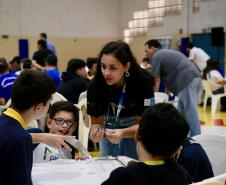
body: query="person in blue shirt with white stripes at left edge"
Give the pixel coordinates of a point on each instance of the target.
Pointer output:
(7, 79)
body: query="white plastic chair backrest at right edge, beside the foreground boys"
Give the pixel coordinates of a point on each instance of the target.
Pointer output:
(215, 148)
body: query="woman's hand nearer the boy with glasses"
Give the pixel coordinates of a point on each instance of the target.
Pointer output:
(96, 133)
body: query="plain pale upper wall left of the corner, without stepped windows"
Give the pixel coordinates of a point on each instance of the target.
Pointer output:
(67, 18)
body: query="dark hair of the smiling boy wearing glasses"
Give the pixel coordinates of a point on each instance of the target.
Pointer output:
(66, 106)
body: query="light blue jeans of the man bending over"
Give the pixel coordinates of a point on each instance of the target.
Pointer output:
(188, 101)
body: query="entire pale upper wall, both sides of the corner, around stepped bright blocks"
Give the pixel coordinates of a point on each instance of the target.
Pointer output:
(99, 18)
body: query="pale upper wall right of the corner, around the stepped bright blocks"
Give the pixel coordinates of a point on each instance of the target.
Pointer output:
(212, 14)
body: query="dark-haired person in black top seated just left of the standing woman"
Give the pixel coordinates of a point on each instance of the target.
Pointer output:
(73, 80)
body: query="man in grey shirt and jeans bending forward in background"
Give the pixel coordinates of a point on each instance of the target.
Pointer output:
(180, 76)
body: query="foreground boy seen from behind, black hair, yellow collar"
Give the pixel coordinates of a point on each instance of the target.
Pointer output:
(159, 136)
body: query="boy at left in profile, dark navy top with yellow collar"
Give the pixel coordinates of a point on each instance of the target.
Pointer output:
(30, 100)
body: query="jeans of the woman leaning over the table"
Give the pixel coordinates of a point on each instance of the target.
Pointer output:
(127, 147)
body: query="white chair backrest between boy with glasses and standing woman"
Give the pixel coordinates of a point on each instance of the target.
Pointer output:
(84, 122)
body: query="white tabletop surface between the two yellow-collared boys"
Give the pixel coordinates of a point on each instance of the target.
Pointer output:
(67, 172)
